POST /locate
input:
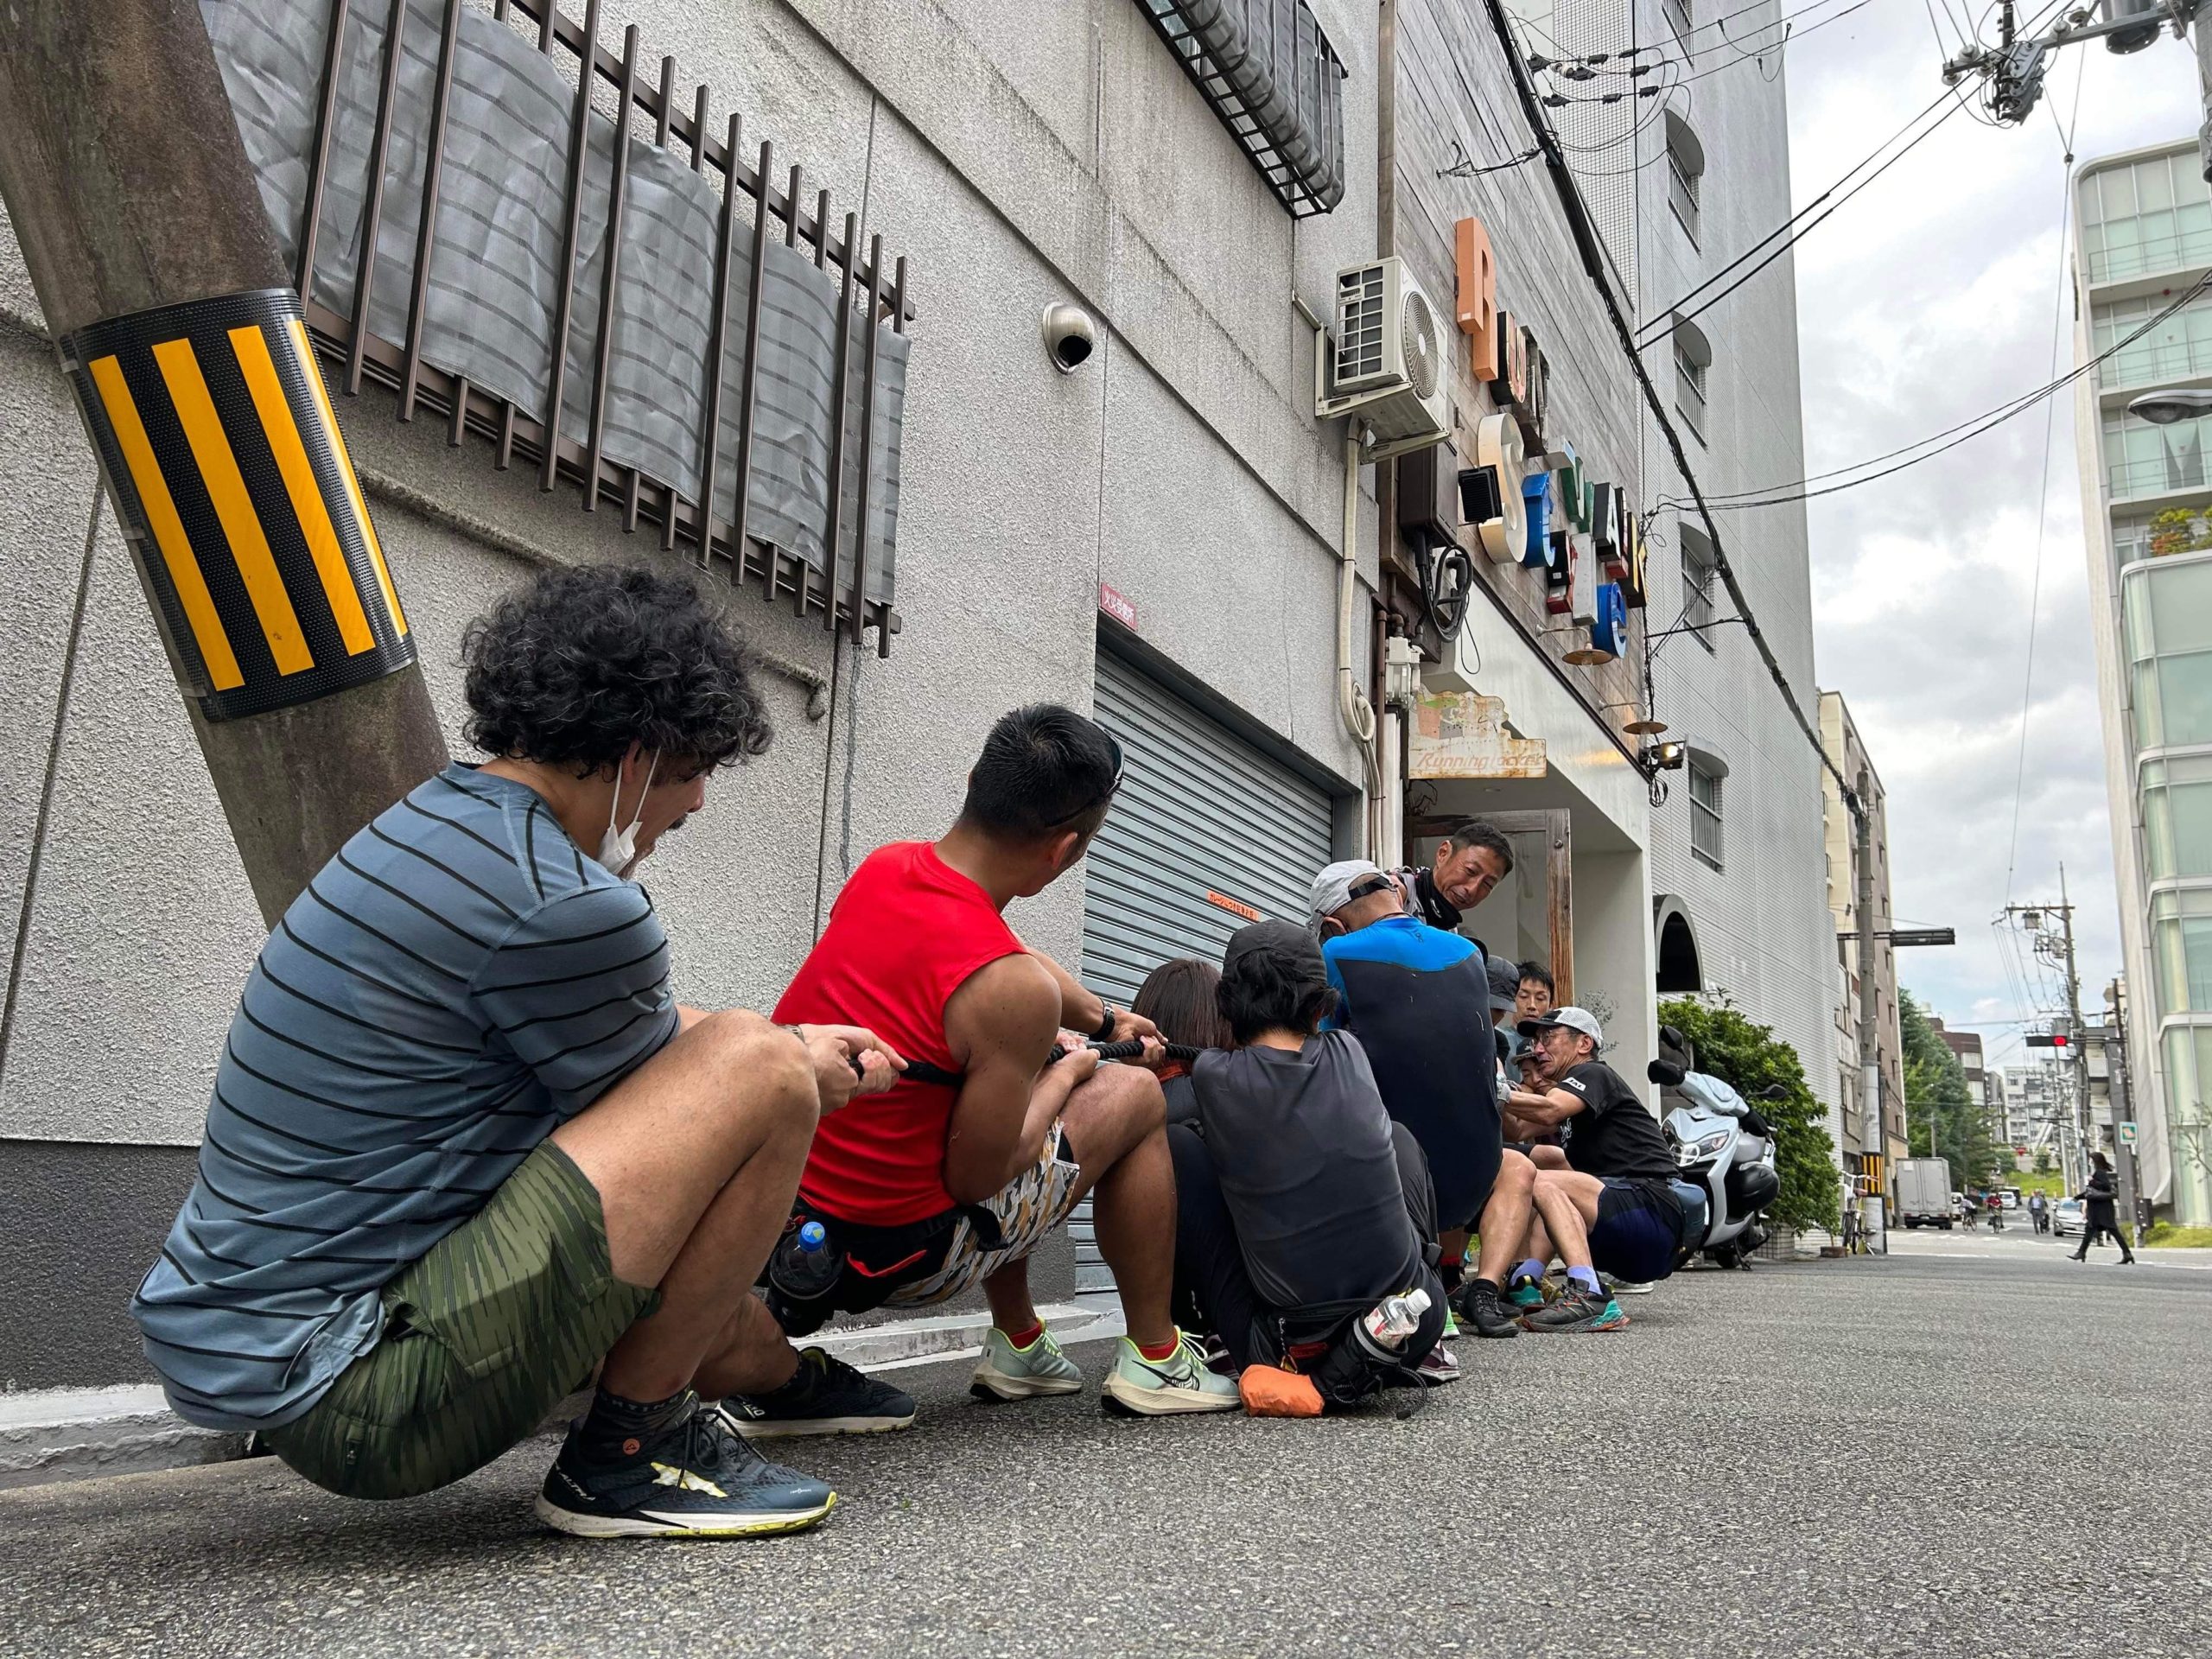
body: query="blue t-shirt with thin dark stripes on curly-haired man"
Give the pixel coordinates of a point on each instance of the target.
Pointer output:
(455, 985)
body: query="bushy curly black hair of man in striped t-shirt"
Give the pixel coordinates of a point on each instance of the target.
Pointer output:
(581, 665)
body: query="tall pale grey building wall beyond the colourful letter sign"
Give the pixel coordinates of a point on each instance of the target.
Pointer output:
(1762, 921)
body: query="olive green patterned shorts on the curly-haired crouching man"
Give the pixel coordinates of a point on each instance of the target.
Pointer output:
(483, 1337)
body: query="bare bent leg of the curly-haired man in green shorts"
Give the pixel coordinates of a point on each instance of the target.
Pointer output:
(696, 1158)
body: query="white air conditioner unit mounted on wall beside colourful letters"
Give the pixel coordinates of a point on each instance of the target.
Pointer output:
(1388, 359)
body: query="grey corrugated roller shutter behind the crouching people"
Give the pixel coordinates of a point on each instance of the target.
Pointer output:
(1200, 813)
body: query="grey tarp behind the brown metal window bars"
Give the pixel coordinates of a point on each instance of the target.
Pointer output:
(494, 275)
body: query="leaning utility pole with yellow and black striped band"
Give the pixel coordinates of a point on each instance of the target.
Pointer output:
(132, 194)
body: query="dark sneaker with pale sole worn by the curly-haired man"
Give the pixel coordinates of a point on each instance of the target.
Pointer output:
(696, 1479)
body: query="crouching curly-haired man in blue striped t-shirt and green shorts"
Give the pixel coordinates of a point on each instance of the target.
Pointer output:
(466, 1145)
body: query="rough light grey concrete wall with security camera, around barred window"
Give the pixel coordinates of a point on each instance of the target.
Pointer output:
(1061, 160)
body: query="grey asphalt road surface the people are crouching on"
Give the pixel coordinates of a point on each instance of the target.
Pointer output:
(1835, 1459)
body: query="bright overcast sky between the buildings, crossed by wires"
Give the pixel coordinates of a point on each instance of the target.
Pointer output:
(1928, 300)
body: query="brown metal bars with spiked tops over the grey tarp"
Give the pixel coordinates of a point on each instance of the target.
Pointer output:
(866, 298)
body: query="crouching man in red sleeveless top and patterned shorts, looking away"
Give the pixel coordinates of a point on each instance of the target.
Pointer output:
(966, 1167)
